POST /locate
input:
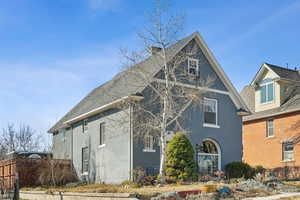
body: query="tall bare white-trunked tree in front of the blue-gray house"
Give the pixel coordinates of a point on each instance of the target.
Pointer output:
(171, 88)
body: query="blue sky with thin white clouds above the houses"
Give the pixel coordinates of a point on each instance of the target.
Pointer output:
(52, 53)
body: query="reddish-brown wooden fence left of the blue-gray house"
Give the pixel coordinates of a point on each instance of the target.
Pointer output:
(35, 172)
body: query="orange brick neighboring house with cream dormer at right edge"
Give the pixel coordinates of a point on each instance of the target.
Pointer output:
(271, 134)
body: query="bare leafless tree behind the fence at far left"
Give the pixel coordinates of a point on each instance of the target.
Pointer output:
(23, 139)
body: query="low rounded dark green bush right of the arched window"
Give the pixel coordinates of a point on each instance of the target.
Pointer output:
(239, 170)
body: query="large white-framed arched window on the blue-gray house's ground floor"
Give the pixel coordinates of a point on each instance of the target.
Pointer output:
(209, 157)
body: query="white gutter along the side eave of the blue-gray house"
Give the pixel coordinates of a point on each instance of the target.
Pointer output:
(102, 108)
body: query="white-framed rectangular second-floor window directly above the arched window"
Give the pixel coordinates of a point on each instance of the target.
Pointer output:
(210, 111)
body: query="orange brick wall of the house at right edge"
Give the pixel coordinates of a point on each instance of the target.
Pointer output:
(260, 150)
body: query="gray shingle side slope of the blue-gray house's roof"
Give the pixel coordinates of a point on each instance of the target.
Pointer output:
(123, 84)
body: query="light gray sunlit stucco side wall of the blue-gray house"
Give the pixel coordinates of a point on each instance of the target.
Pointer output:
(109, 163)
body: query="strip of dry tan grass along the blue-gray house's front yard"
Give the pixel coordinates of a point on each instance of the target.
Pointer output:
(101, 188)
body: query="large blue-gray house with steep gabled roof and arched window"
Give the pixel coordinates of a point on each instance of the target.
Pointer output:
(98, 134)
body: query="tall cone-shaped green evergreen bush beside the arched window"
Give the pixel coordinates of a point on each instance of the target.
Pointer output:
(180, 159)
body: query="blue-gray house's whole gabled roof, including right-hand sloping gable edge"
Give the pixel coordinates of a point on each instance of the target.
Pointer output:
(118, 87)
